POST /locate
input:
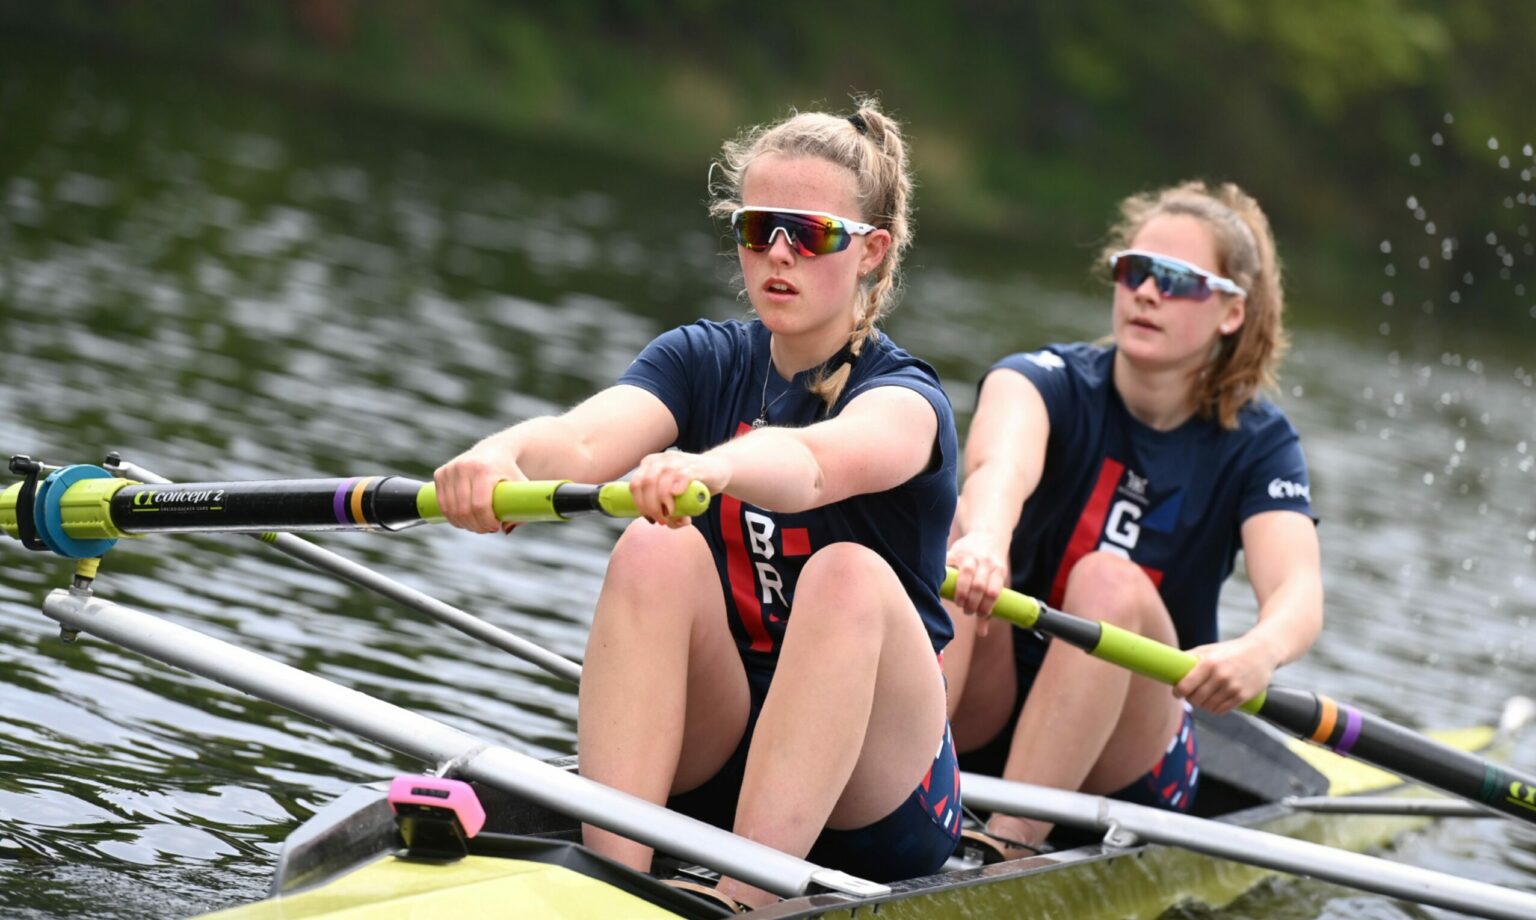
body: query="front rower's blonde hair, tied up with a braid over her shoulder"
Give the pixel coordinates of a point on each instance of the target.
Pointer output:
(869, 144)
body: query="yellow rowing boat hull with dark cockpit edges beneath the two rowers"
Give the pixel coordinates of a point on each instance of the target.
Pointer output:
(343, 862)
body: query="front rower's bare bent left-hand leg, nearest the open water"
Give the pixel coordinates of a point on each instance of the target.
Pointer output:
(664, 698)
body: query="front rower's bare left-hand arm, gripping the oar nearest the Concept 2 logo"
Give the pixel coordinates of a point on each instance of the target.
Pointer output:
(597, 442)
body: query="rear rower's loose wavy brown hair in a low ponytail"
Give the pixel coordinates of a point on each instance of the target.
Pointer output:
(1243, 363)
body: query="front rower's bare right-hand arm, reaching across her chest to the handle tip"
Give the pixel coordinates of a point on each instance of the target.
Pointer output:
(881, 440)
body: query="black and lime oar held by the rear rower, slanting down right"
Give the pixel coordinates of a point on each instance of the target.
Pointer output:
(1309, 716)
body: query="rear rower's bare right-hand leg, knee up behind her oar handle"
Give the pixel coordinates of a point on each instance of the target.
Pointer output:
(1091, 726)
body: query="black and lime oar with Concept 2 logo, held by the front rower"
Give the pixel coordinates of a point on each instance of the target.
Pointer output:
(79, 509)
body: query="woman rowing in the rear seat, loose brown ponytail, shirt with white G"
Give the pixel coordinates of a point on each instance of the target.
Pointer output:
(1119, 482)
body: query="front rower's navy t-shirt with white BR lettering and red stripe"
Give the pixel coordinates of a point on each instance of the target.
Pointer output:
(712, 376)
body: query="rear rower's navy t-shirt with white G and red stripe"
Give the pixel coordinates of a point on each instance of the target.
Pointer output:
(1173, 503)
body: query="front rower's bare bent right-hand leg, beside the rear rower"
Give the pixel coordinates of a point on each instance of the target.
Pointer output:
(855, 713)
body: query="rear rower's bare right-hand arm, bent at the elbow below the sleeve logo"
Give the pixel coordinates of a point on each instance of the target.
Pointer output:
(1286, 572)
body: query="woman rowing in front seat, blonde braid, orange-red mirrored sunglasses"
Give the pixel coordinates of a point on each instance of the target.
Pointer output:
(799, 703)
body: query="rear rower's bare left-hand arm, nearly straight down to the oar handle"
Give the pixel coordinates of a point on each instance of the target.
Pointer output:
(1005, 455)
